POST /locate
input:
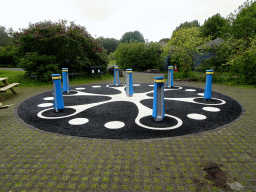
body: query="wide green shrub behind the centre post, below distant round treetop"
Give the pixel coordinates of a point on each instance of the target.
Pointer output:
(139, 56)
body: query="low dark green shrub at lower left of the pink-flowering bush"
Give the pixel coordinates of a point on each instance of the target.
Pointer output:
(41, 65)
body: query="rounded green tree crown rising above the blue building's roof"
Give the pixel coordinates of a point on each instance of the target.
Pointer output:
(213, 26)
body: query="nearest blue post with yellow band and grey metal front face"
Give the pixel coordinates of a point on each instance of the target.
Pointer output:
(158, 101)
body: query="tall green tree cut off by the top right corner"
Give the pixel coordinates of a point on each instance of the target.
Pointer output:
(243, 24)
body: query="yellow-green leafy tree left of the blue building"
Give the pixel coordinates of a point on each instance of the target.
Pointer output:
(183, 46)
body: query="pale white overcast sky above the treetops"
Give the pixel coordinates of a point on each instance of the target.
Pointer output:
(112, 18)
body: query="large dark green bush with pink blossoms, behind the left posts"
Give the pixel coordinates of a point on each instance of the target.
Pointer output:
(56, 44)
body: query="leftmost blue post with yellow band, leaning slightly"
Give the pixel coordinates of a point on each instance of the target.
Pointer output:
(58, 102)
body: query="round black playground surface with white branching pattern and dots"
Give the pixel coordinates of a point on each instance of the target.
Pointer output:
(105, 111)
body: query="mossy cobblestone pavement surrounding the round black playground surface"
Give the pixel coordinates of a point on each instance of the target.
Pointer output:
(220, 160)
